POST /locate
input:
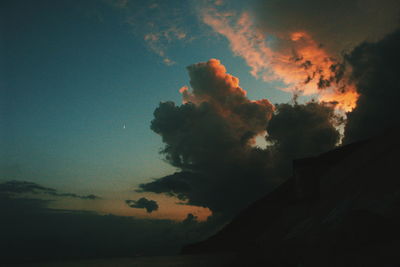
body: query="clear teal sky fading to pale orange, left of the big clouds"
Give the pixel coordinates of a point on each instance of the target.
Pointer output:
(75, 73)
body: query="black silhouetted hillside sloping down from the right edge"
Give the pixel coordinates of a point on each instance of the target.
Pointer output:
(335, 208)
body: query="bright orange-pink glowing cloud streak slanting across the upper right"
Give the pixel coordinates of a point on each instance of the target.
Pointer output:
(294, 58)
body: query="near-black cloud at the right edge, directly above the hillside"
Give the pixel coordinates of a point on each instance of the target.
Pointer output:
(376, 73)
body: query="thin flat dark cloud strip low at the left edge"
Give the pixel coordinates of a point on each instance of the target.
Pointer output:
(24, 187)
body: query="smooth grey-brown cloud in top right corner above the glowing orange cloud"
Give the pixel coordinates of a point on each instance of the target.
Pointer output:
(338, 25)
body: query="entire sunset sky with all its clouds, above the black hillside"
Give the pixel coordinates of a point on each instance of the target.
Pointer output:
(178, 114)
